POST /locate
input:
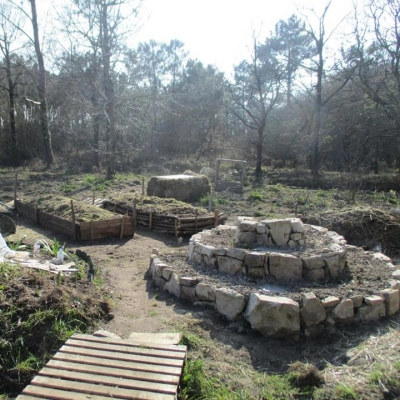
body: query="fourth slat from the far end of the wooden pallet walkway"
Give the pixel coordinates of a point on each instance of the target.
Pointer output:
(162, 369)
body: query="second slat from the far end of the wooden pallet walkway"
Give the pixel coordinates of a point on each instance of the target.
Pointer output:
(125, 348)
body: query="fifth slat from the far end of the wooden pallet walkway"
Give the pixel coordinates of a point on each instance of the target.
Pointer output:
(114, 371)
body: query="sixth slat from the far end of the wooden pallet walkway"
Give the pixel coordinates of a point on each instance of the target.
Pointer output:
(86, 377)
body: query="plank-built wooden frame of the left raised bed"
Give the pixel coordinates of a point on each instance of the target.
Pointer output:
(105, 225)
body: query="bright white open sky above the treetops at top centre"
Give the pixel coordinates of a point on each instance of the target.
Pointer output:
(220, 32)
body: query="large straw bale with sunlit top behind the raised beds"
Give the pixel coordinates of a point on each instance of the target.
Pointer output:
(180, 187)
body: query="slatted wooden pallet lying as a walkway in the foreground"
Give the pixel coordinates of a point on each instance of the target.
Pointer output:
(90, 367)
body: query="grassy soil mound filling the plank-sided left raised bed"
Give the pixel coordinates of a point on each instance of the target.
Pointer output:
(60, 206)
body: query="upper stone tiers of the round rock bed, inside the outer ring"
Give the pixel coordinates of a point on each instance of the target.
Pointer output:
(275, 238)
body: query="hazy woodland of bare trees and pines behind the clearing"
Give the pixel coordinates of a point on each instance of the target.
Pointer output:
(84, 98)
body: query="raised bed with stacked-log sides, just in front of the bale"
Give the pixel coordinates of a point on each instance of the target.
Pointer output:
(166, 215)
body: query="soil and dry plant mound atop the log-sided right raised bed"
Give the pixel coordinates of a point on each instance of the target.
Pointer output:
(159, 206)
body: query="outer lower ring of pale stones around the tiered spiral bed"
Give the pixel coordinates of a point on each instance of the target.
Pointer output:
(277, 316)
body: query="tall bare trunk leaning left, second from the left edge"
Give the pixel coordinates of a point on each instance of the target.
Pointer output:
(44, 123)
